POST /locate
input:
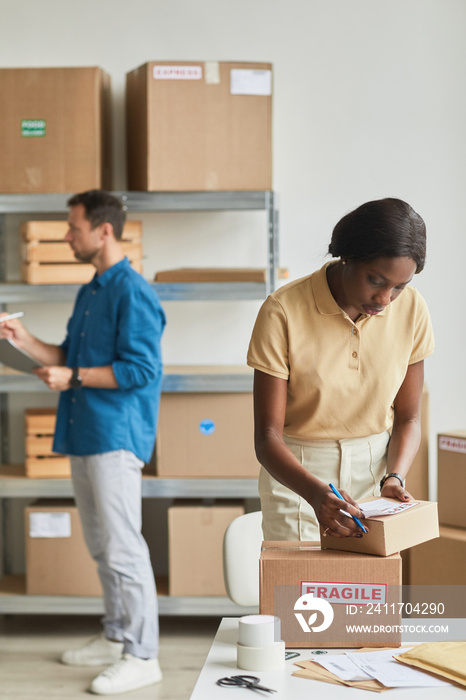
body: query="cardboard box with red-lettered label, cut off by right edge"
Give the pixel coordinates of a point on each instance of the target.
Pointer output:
(452, 478)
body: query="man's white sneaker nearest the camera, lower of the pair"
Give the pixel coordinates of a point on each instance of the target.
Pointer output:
(127, 674)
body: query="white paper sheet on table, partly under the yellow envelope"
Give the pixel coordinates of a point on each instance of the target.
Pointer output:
(381, 666)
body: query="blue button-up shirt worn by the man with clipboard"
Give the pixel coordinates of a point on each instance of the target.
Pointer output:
(117, 320)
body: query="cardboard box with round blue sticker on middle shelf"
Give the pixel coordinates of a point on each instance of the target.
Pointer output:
(206, 435)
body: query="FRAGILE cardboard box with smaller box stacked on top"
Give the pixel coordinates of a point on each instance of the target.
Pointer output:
(354, 586)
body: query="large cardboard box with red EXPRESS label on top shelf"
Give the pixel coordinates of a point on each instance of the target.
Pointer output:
(195, 126)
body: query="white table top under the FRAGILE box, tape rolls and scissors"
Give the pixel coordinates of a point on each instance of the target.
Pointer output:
(221, 661)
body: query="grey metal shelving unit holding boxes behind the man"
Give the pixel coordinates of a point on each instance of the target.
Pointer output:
(16, 486)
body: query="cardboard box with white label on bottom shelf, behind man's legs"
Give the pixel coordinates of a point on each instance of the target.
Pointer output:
(57, 560)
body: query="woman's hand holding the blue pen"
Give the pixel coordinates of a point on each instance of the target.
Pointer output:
(328, 509)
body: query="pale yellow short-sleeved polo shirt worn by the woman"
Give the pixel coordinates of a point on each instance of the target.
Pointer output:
(342, 376)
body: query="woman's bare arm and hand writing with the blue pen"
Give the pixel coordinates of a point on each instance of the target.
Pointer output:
(270, 395)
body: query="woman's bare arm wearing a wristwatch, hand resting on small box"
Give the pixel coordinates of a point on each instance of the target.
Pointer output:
(406, 434)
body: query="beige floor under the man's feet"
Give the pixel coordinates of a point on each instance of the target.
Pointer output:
(31, 645)
